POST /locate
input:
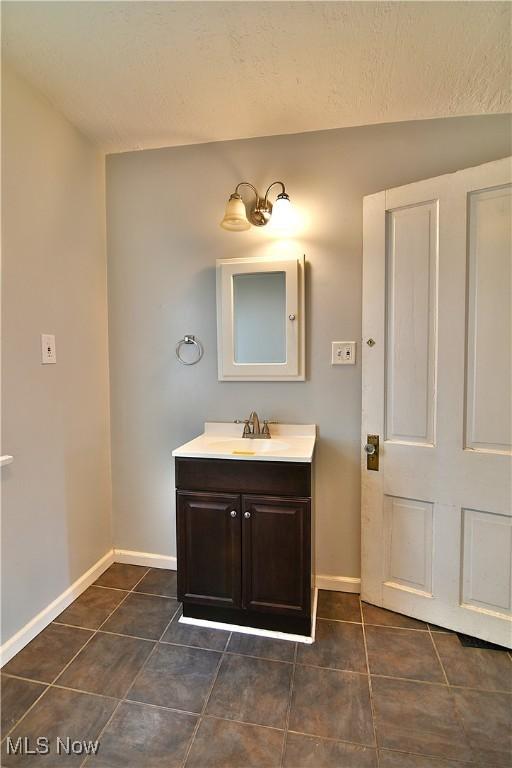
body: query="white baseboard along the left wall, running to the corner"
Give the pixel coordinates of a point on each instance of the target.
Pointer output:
(27, 633)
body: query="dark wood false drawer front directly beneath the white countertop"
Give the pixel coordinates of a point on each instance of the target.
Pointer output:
(230, 475)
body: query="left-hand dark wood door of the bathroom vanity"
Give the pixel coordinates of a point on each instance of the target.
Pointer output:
(209, 552)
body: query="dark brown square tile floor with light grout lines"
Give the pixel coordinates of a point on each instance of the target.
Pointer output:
(117, 666)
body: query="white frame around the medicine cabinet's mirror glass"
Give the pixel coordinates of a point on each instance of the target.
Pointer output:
(293, 369)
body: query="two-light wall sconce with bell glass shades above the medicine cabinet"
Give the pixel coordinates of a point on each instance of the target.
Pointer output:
(238, 218)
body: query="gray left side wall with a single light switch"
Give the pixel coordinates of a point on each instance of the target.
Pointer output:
(56, 496)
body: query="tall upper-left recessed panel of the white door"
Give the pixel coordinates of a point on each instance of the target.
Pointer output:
(411, 278)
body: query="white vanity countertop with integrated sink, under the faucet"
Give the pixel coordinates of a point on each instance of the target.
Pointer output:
(220, 440)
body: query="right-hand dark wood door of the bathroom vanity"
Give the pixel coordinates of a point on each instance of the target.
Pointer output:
(276, 555)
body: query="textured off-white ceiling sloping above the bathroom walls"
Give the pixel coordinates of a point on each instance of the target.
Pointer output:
(147, 74)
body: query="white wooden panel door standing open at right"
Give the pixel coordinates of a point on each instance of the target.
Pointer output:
(437, 390)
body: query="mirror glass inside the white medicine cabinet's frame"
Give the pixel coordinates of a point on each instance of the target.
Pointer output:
(259, 312)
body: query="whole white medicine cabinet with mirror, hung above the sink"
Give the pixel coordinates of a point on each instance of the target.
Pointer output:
(260, 319)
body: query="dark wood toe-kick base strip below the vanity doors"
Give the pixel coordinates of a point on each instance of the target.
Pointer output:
(294, 625)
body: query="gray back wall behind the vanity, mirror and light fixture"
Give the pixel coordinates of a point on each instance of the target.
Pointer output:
(163, 209)
